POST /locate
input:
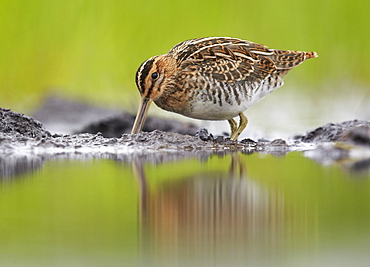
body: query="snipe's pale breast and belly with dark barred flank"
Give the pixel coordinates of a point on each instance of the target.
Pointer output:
(215, 100)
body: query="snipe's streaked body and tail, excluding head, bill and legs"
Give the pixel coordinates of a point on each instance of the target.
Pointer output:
(222, 76)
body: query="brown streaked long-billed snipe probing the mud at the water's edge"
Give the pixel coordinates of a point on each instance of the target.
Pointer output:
(214, 78)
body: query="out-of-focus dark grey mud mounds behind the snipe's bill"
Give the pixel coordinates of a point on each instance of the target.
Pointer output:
(71, 117)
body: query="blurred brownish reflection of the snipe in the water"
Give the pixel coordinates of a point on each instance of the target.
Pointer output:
(211, 207)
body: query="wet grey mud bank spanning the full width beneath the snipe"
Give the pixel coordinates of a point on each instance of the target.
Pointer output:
(20, 131)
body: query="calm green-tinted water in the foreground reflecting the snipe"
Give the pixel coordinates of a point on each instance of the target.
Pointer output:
(218, 210)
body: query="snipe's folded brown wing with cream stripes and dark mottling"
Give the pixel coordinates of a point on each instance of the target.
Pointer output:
(227, 60)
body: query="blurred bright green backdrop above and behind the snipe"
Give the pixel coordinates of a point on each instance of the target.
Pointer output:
(90, 50)
